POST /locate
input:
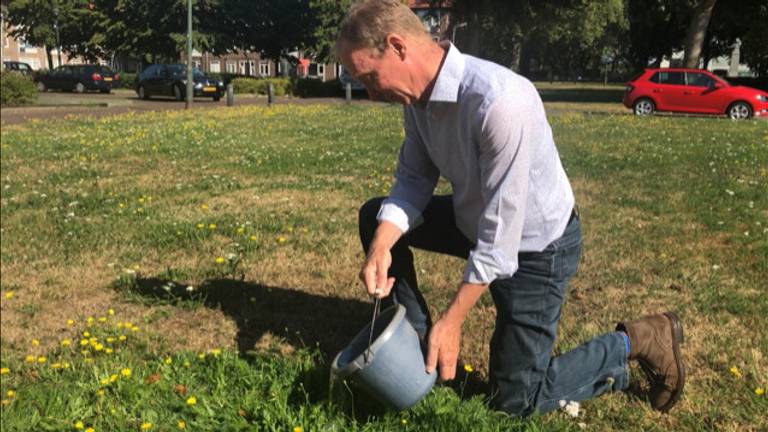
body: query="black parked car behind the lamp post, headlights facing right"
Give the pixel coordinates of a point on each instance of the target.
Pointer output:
(171, 80)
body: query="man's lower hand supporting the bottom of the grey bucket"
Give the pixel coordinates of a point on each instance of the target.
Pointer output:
(444, 344)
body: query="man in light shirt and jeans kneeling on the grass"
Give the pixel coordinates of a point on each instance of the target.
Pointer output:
(511, 216)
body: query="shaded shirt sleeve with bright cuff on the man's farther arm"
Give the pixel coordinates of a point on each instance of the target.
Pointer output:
(415, 181)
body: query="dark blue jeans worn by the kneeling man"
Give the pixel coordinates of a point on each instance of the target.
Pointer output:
(523, 375)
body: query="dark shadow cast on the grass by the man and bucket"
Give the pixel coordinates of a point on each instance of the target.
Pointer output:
(325, 324)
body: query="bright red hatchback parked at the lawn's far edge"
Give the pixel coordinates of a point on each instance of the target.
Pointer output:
(692, 91)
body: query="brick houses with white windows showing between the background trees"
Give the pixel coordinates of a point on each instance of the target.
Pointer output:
(436, 20)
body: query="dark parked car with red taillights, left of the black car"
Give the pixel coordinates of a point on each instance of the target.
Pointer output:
(78, 78)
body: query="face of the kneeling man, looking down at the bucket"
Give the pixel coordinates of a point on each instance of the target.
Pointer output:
(382, 73)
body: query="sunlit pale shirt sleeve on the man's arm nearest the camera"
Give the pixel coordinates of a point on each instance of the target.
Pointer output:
(508, 131)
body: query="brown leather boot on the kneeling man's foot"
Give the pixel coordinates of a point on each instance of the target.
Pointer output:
(655, 343)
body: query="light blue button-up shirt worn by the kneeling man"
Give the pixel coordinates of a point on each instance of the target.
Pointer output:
(484, 130)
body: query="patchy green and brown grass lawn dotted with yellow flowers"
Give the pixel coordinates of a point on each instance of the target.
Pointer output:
(173, 270)
